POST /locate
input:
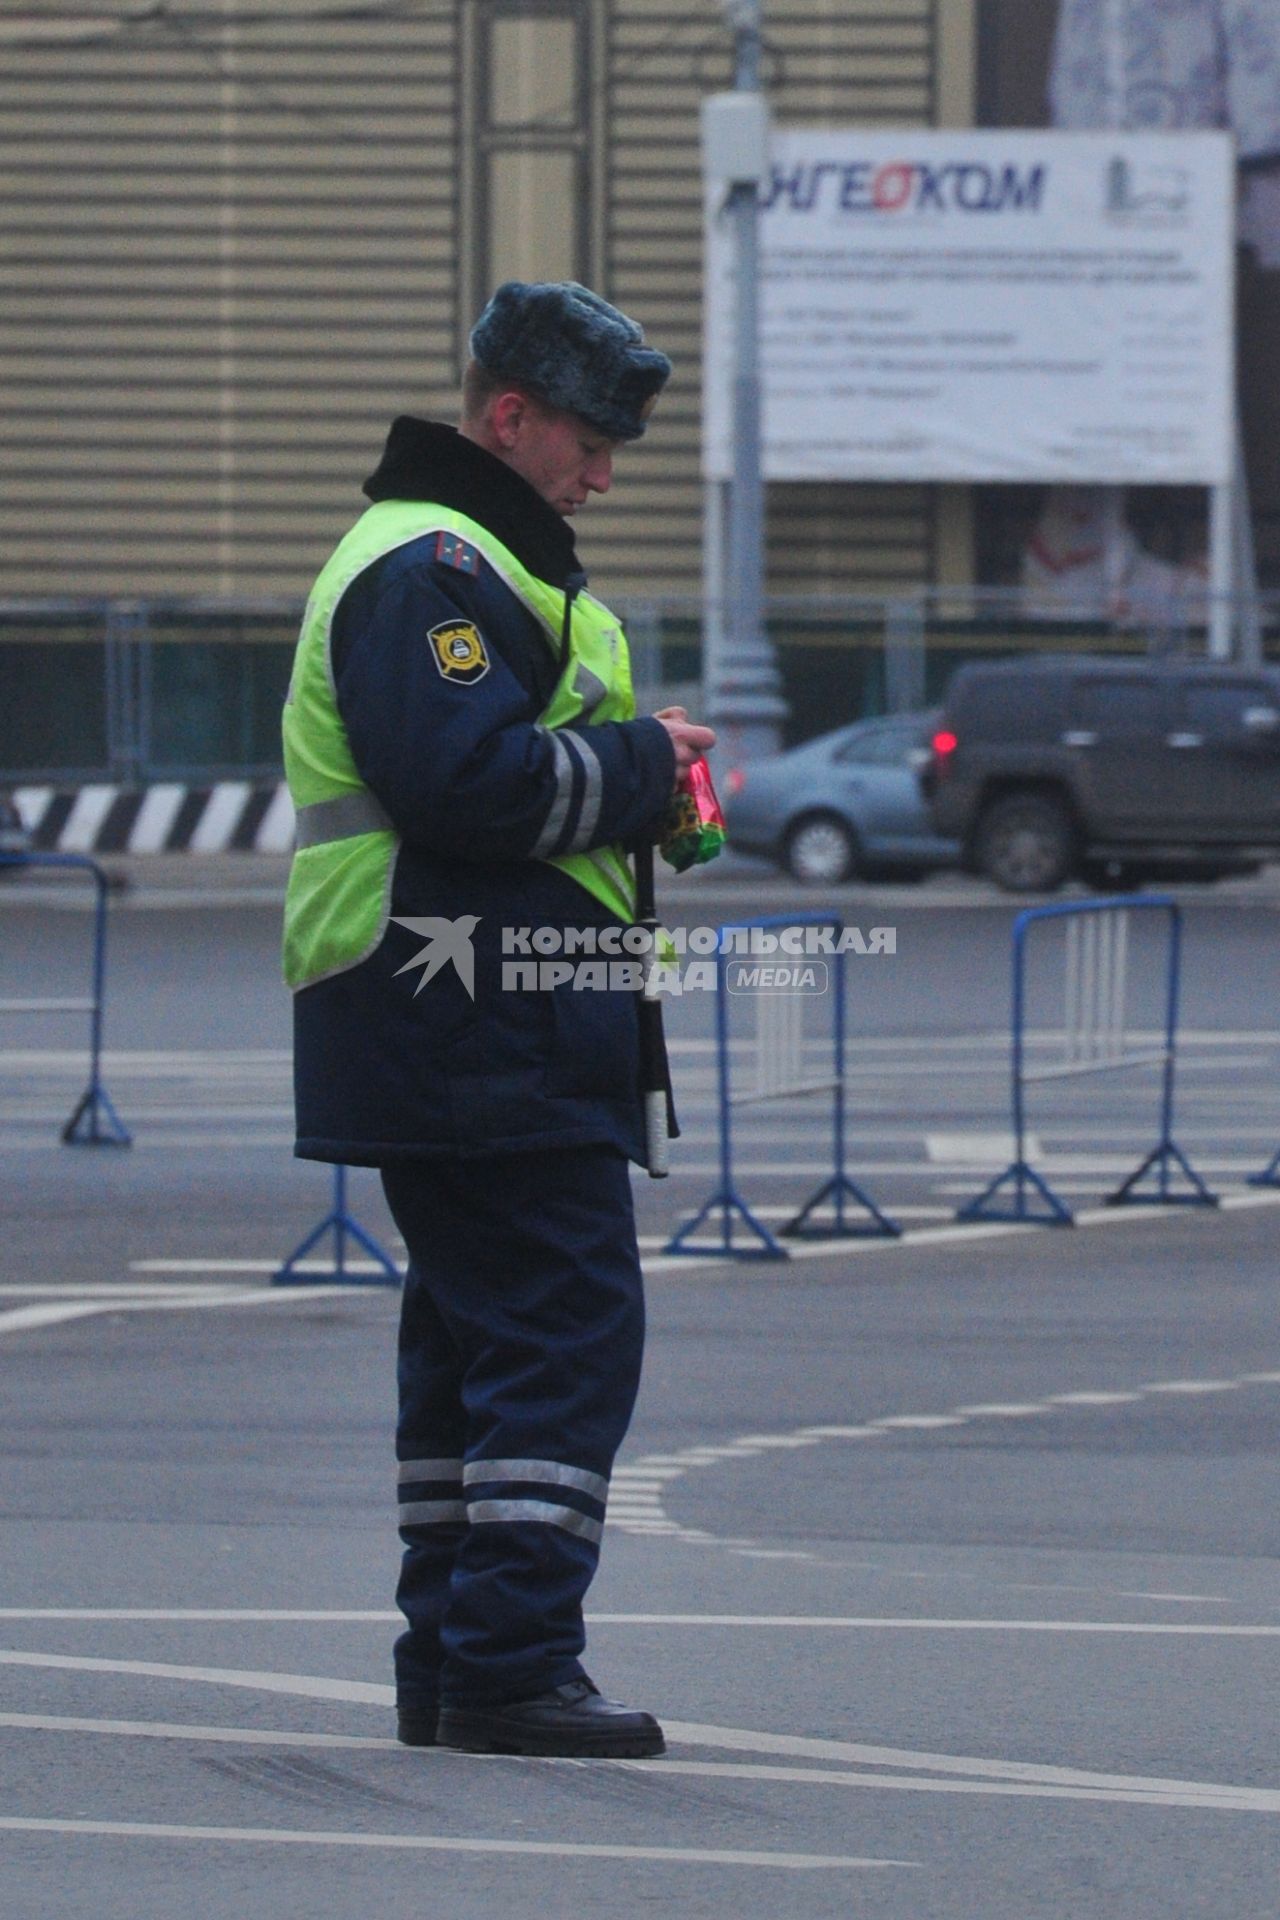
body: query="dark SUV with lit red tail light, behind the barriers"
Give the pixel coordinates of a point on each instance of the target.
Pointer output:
(1110, 769)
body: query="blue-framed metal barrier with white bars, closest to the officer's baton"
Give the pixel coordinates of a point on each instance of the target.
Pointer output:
(780, 1074)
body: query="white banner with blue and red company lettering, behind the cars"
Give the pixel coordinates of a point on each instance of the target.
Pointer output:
(985, 306)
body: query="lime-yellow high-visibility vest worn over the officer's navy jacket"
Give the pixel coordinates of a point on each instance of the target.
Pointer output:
(341, 884)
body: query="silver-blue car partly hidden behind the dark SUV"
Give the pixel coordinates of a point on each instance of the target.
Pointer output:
(843, 804)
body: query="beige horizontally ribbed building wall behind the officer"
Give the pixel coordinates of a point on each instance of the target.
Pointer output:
(243, 239)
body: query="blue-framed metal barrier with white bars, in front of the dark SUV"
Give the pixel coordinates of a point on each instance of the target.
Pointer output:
(1095, 1042)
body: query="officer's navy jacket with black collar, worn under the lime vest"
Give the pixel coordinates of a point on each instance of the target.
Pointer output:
(391, 1065)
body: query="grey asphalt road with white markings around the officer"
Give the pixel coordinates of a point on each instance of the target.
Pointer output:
(949, 1562)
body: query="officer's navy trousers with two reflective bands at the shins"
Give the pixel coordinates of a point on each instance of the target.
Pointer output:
(521, 1345)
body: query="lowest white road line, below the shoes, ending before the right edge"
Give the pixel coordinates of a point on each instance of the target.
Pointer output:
(268, 1836)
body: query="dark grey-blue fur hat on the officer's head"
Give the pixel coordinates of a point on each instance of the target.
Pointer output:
(573, 350)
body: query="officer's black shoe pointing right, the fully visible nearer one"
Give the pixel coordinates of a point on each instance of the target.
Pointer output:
(571, 1721)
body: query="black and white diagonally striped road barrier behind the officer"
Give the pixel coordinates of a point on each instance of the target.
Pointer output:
(229, 817)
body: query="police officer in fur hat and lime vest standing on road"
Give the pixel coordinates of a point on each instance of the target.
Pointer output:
(467, 769)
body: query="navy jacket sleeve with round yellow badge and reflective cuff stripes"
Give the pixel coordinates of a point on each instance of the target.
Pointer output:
(456, 754)
